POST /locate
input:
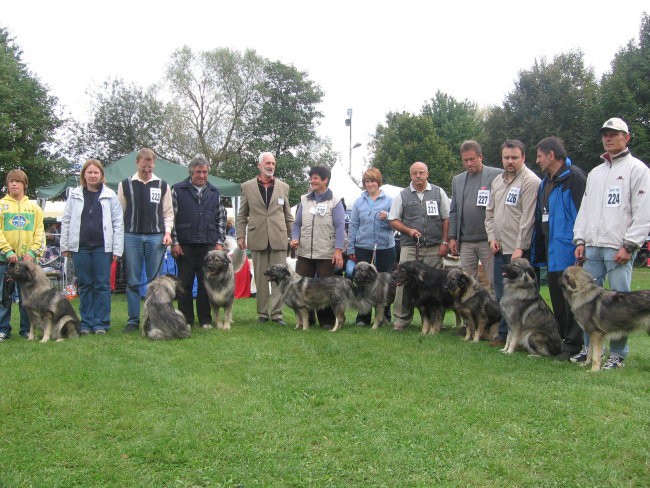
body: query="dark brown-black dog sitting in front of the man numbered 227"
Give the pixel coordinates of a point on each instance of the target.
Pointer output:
(474, 303)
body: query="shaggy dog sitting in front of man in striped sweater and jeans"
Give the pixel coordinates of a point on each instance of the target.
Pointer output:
(160, 320)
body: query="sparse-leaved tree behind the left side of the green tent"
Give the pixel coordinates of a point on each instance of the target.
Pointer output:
(124, 117)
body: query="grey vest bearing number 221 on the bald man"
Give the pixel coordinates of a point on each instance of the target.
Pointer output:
(414, 215)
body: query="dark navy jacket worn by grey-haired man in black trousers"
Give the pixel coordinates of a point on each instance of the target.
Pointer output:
(196, 222)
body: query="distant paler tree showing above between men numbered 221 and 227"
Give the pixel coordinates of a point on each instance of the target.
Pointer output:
(454, 121)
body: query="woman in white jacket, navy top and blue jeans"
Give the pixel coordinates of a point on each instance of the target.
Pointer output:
(92, 232)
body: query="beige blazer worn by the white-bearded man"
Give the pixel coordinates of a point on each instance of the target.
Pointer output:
(266, 226)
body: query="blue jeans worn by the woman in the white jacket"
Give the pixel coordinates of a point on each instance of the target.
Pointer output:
(93, 268)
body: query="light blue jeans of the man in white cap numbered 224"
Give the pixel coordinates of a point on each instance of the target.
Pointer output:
(598, 261)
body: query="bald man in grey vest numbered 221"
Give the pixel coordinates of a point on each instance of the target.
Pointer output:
(420, 213)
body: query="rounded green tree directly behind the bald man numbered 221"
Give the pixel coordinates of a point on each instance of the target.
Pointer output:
(405, 139)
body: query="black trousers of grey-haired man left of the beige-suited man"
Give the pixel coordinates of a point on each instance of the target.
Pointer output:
(189, 266)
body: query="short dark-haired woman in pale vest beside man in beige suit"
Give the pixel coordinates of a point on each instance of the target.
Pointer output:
(318, 234)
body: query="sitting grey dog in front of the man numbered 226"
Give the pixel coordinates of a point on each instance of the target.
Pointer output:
(531, 323)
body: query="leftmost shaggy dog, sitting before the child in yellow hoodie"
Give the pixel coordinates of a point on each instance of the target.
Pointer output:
(46, 308)
